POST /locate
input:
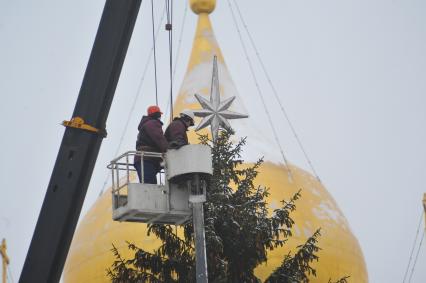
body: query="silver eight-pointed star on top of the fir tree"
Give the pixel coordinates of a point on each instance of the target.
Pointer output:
(215, 112)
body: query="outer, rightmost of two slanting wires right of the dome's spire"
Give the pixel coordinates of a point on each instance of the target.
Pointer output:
(275, 92)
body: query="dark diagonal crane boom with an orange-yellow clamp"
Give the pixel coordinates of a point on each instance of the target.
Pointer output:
(80, 145)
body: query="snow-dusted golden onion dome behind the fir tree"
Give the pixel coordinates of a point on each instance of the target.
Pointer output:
(90, 254)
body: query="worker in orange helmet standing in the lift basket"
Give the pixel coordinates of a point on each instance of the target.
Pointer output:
(150, 139)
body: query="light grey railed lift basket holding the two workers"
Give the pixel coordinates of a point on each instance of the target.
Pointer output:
(182, 182)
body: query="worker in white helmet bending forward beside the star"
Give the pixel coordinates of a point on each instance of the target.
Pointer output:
(176, 131)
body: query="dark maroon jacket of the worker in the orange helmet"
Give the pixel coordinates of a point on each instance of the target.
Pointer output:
(150, 136)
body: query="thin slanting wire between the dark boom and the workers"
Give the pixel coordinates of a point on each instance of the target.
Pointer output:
(135, 99)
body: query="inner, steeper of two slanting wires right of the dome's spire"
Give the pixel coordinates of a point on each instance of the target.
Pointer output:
(259, 92)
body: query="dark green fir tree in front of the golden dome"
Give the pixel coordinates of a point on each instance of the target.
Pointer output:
(239, 232)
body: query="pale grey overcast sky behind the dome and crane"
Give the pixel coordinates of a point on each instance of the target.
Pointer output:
(351, 74)
